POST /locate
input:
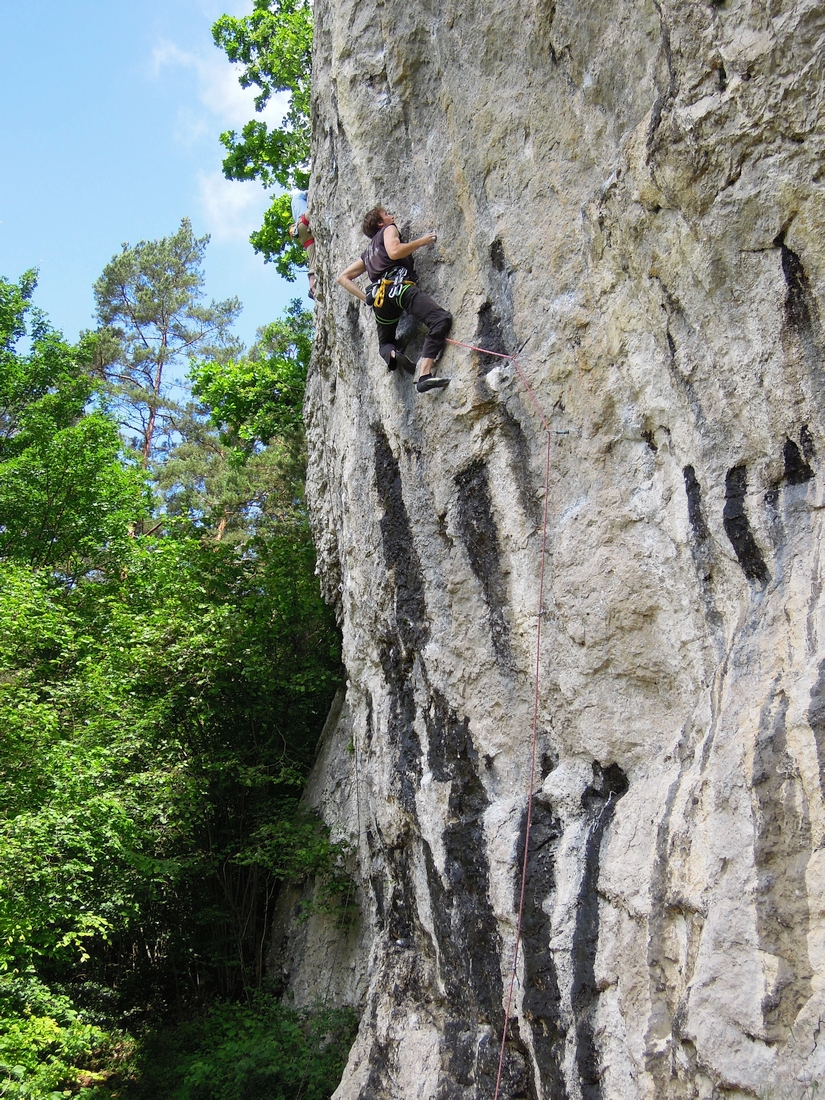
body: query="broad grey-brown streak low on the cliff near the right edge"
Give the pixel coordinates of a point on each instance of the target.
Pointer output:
(782, 853)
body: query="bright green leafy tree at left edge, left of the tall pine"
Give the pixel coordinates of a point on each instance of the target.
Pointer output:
(67, 500)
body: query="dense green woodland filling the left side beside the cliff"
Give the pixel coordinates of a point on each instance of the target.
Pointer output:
(160, 713)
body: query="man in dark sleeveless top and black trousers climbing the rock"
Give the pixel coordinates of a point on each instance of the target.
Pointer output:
(393, 291)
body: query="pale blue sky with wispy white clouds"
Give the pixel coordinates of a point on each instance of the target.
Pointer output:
(111, 113)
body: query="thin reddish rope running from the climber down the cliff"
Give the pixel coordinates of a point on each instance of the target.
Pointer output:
(535, 738)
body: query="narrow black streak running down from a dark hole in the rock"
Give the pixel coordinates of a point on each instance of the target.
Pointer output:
(599, 804)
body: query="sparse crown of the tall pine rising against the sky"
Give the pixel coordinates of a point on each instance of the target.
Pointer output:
(150, 304)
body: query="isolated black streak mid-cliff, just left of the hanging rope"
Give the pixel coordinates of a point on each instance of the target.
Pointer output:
(481, 540)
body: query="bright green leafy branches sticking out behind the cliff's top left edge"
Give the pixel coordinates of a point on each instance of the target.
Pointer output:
(274, 46)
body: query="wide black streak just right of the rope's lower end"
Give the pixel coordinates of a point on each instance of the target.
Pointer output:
(542, 998)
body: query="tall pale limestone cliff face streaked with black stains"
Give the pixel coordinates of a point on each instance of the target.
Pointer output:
(633, 193)
